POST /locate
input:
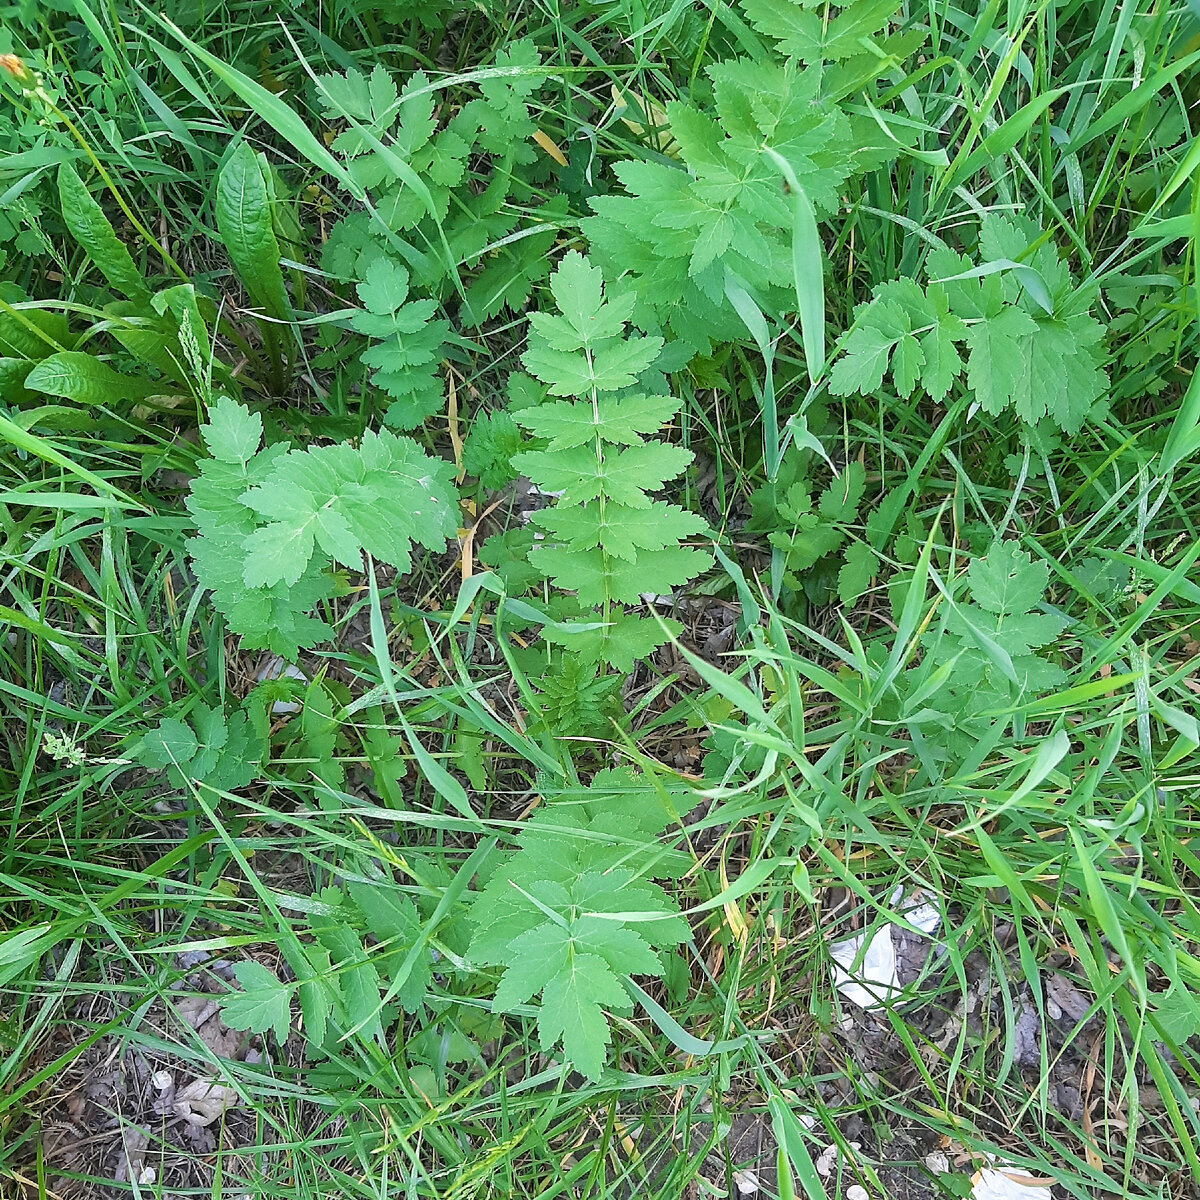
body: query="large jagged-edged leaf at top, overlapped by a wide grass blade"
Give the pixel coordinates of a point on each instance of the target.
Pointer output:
(679, 233)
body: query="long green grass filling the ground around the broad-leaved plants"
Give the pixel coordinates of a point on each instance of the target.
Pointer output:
(1053, 826)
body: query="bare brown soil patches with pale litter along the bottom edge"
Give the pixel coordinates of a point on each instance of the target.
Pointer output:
(152, 1111)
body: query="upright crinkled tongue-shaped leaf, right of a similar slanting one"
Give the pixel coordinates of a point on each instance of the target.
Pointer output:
(244, 221)
